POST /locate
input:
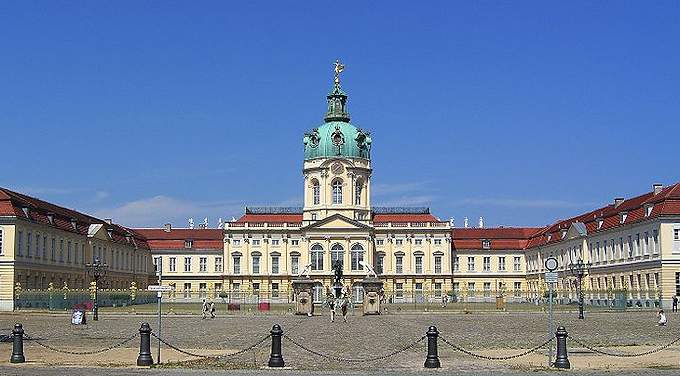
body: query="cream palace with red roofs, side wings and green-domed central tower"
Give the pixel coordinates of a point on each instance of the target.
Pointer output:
(632, 245)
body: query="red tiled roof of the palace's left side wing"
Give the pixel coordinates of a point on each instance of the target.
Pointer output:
(11, 204)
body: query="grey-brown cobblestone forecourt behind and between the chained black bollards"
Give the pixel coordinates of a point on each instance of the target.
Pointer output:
(496, 334)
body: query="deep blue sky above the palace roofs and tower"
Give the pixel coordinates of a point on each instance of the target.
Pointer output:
(521, 112)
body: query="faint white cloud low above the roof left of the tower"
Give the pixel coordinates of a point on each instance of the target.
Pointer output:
(154, 211)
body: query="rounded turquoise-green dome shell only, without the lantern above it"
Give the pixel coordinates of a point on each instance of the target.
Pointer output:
(337, 139)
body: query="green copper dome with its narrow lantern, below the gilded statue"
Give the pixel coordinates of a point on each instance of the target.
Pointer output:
(337, 137)
